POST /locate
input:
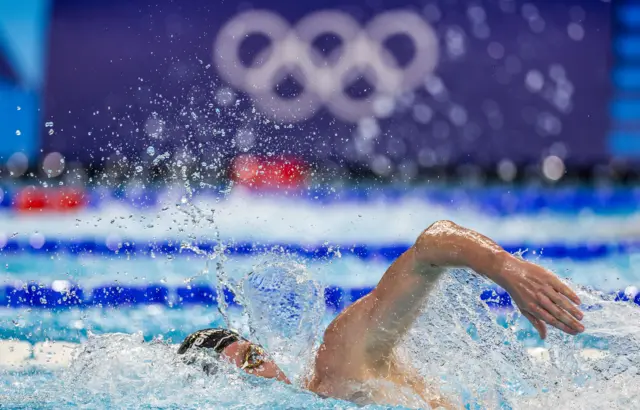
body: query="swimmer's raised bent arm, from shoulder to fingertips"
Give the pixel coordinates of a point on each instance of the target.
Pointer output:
(386, 314)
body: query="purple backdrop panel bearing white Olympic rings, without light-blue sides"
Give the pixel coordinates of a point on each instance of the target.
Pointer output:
(513, 79)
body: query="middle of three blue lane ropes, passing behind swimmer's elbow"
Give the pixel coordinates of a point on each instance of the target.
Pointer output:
(109, 247)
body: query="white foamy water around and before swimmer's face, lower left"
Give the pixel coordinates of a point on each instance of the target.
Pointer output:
(122, 371)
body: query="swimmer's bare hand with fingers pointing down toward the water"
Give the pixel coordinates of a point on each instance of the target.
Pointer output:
(541, 296)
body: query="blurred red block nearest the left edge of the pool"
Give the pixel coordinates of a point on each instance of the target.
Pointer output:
(33, 199)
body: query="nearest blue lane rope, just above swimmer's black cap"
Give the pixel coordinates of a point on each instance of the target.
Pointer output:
(57, 296)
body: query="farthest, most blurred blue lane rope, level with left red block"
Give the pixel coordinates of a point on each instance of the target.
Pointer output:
(498, 200)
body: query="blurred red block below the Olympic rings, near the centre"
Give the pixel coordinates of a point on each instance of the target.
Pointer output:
(269, 173)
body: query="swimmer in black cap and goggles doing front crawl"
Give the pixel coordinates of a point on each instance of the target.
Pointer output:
(358, 346)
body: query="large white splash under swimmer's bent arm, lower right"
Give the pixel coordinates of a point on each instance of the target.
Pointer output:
(482, 357)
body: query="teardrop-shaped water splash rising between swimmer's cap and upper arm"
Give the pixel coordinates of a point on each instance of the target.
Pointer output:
(281, 306)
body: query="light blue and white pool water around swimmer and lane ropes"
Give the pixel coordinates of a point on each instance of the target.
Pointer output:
(479, 357)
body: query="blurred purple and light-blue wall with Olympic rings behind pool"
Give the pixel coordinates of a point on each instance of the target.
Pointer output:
(489, 91)
